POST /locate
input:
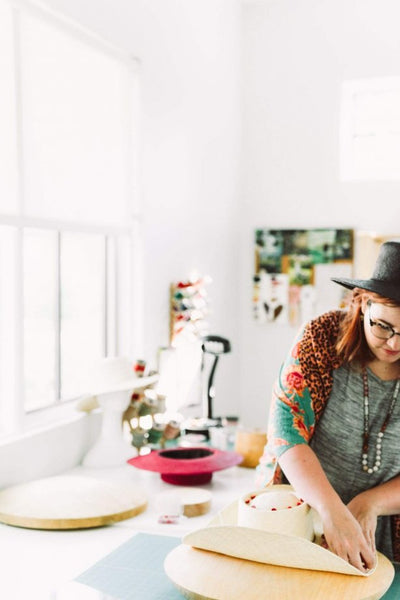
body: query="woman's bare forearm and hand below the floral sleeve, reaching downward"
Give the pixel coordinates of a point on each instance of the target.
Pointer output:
(343, 533)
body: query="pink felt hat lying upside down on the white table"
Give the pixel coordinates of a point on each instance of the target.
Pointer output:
(186, 466)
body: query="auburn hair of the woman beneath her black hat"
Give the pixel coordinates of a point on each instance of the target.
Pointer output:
(351, 344)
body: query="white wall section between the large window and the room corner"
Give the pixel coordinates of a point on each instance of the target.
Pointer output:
(189, 177)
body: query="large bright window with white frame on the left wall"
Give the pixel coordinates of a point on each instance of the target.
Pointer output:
(68, 109)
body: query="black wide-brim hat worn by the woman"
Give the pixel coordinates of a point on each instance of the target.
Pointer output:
(385, 279)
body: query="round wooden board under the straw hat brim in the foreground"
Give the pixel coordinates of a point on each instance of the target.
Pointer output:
(203, 575)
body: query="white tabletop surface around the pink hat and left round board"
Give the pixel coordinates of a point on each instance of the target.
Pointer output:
(40, 565)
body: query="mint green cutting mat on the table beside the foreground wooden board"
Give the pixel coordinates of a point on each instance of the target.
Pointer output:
(135, 570)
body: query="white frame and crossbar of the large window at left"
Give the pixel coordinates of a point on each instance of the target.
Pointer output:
(124, 310)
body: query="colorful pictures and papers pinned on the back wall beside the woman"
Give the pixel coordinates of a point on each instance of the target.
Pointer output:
(293, 268)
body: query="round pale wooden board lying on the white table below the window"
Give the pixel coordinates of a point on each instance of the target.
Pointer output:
(70, 502)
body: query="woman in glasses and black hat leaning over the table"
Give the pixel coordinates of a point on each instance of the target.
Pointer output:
(334, 428)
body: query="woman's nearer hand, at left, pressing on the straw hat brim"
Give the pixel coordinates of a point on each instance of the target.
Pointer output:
(345, 537)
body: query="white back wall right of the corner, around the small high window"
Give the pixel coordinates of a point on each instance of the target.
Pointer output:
(296, 54)
